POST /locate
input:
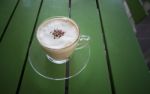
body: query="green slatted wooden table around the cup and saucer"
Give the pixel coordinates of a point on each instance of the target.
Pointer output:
(116, 64)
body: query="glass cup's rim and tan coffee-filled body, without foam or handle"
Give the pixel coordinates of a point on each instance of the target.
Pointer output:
(60, 56)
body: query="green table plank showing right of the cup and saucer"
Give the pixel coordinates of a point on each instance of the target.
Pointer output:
(94, 78)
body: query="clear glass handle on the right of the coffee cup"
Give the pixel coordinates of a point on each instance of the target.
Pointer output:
(83, 42)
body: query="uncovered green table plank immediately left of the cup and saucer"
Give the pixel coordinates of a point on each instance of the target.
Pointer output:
(13, 47)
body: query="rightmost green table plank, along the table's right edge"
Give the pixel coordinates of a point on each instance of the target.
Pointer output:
(130, 73)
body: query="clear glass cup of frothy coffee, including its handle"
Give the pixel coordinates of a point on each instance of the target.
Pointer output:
(60, 37)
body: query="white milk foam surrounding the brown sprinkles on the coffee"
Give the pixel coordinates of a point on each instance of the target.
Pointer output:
(46, 38)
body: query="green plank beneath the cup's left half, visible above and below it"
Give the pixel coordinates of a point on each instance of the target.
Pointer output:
(32, 82)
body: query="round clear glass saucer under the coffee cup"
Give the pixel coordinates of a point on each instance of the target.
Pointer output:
(49, 70)
